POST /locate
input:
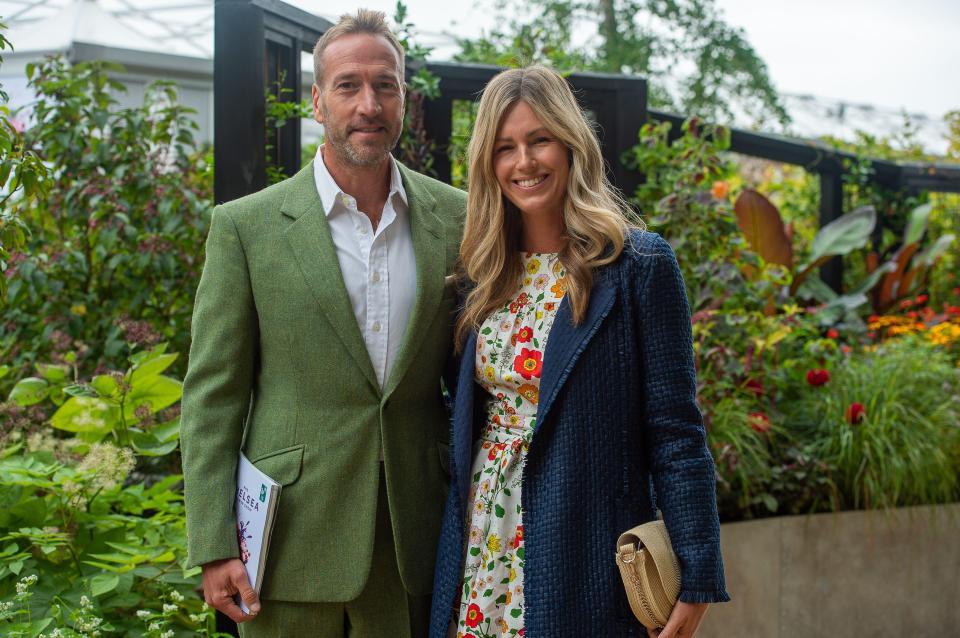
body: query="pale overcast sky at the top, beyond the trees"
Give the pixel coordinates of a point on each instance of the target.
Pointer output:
(902, 54)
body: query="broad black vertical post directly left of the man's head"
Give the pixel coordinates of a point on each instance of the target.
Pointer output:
(239, 66)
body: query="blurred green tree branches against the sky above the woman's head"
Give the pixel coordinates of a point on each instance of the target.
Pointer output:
(651, 38)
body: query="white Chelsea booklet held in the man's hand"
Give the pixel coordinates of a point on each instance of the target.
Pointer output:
(257, 496)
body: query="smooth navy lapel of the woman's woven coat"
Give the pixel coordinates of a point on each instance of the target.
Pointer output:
(567, 341)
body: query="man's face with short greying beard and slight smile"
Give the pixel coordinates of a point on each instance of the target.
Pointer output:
(360, 102)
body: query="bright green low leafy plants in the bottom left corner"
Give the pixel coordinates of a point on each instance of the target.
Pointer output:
(91, 539)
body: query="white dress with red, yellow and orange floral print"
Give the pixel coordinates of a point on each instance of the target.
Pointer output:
(509, 362)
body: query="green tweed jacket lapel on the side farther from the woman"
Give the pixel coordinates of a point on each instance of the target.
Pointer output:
(312, 245)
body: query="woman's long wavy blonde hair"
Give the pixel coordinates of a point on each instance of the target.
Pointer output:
(595, 216)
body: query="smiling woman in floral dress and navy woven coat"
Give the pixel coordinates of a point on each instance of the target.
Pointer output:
(576, 391)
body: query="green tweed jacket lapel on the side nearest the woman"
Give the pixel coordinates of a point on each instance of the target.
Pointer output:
(429, 251)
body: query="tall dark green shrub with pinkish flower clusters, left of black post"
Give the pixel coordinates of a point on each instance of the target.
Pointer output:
(116, 244)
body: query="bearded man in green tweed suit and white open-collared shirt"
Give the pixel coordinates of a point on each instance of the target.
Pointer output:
(321, 328)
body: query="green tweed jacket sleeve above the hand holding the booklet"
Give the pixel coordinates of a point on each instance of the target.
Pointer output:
(216, 393)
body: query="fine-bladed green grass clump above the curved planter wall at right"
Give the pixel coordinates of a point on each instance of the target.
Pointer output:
(900, 452)
